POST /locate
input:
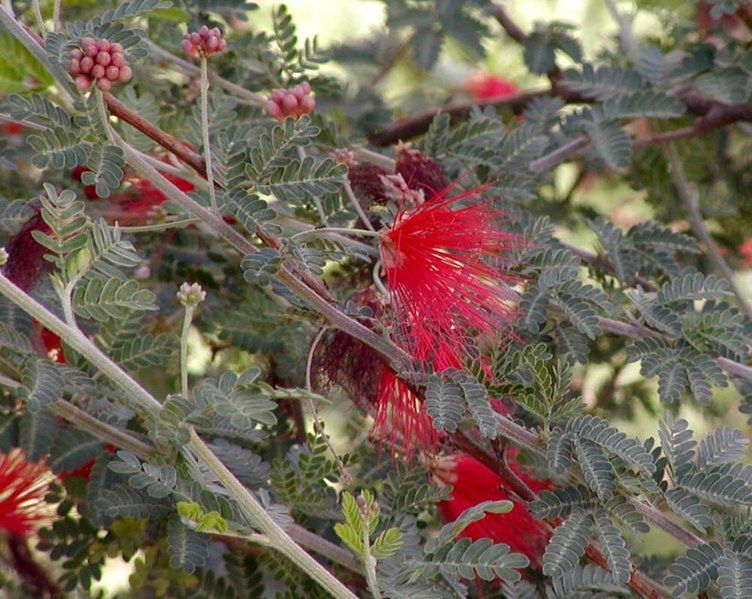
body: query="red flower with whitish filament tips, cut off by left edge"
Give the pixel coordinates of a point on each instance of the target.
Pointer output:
(23, 486)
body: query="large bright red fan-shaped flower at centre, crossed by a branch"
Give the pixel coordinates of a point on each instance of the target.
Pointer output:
(444, 270)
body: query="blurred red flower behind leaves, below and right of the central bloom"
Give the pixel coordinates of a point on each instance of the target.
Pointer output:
(473, 483)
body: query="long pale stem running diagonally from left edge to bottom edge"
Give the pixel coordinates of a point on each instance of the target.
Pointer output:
(254, 511)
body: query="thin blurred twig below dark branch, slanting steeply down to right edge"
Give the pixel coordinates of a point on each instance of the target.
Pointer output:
(689, 198)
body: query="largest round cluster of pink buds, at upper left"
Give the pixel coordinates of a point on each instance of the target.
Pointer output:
(99, 62)
